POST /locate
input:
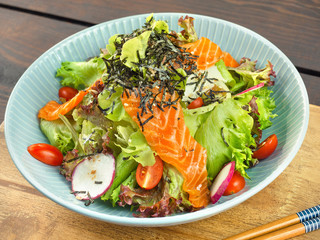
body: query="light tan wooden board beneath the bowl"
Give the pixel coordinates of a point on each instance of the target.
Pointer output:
(27, 214)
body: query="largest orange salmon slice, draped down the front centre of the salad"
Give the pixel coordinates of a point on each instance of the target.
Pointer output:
(167, 135)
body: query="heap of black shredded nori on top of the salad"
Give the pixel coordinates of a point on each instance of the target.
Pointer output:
(154, 74)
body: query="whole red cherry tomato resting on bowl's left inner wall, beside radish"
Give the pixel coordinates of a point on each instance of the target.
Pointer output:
(46, 153)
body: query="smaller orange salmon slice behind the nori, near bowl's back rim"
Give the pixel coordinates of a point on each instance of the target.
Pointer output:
(209, 53)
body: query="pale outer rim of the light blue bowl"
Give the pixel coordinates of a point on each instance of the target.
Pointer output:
(174, 219)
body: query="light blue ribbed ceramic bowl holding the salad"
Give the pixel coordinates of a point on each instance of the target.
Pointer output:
(38, 85)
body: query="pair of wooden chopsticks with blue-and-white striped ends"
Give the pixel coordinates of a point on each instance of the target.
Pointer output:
(302, 222)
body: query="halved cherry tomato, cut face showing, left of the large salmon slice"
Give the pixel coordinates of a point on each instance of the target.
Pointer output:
(149, 176)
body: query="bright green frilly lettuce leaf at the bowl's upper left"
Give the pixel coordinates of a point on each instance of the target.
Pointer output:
(81, 75)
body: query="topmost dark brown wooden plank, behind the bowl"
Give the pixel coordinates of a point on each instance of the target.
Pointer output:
(292, 25)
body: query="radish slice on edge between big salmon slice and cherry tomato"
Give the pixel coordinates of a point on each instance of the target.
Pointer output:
(220, 183)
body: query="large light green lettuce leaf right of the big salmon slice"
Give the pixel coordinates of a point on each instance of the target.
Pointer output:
(226, 134)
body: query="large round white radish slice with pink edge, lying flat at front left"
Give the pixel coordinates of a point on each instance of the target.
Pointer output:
(92, 177)
